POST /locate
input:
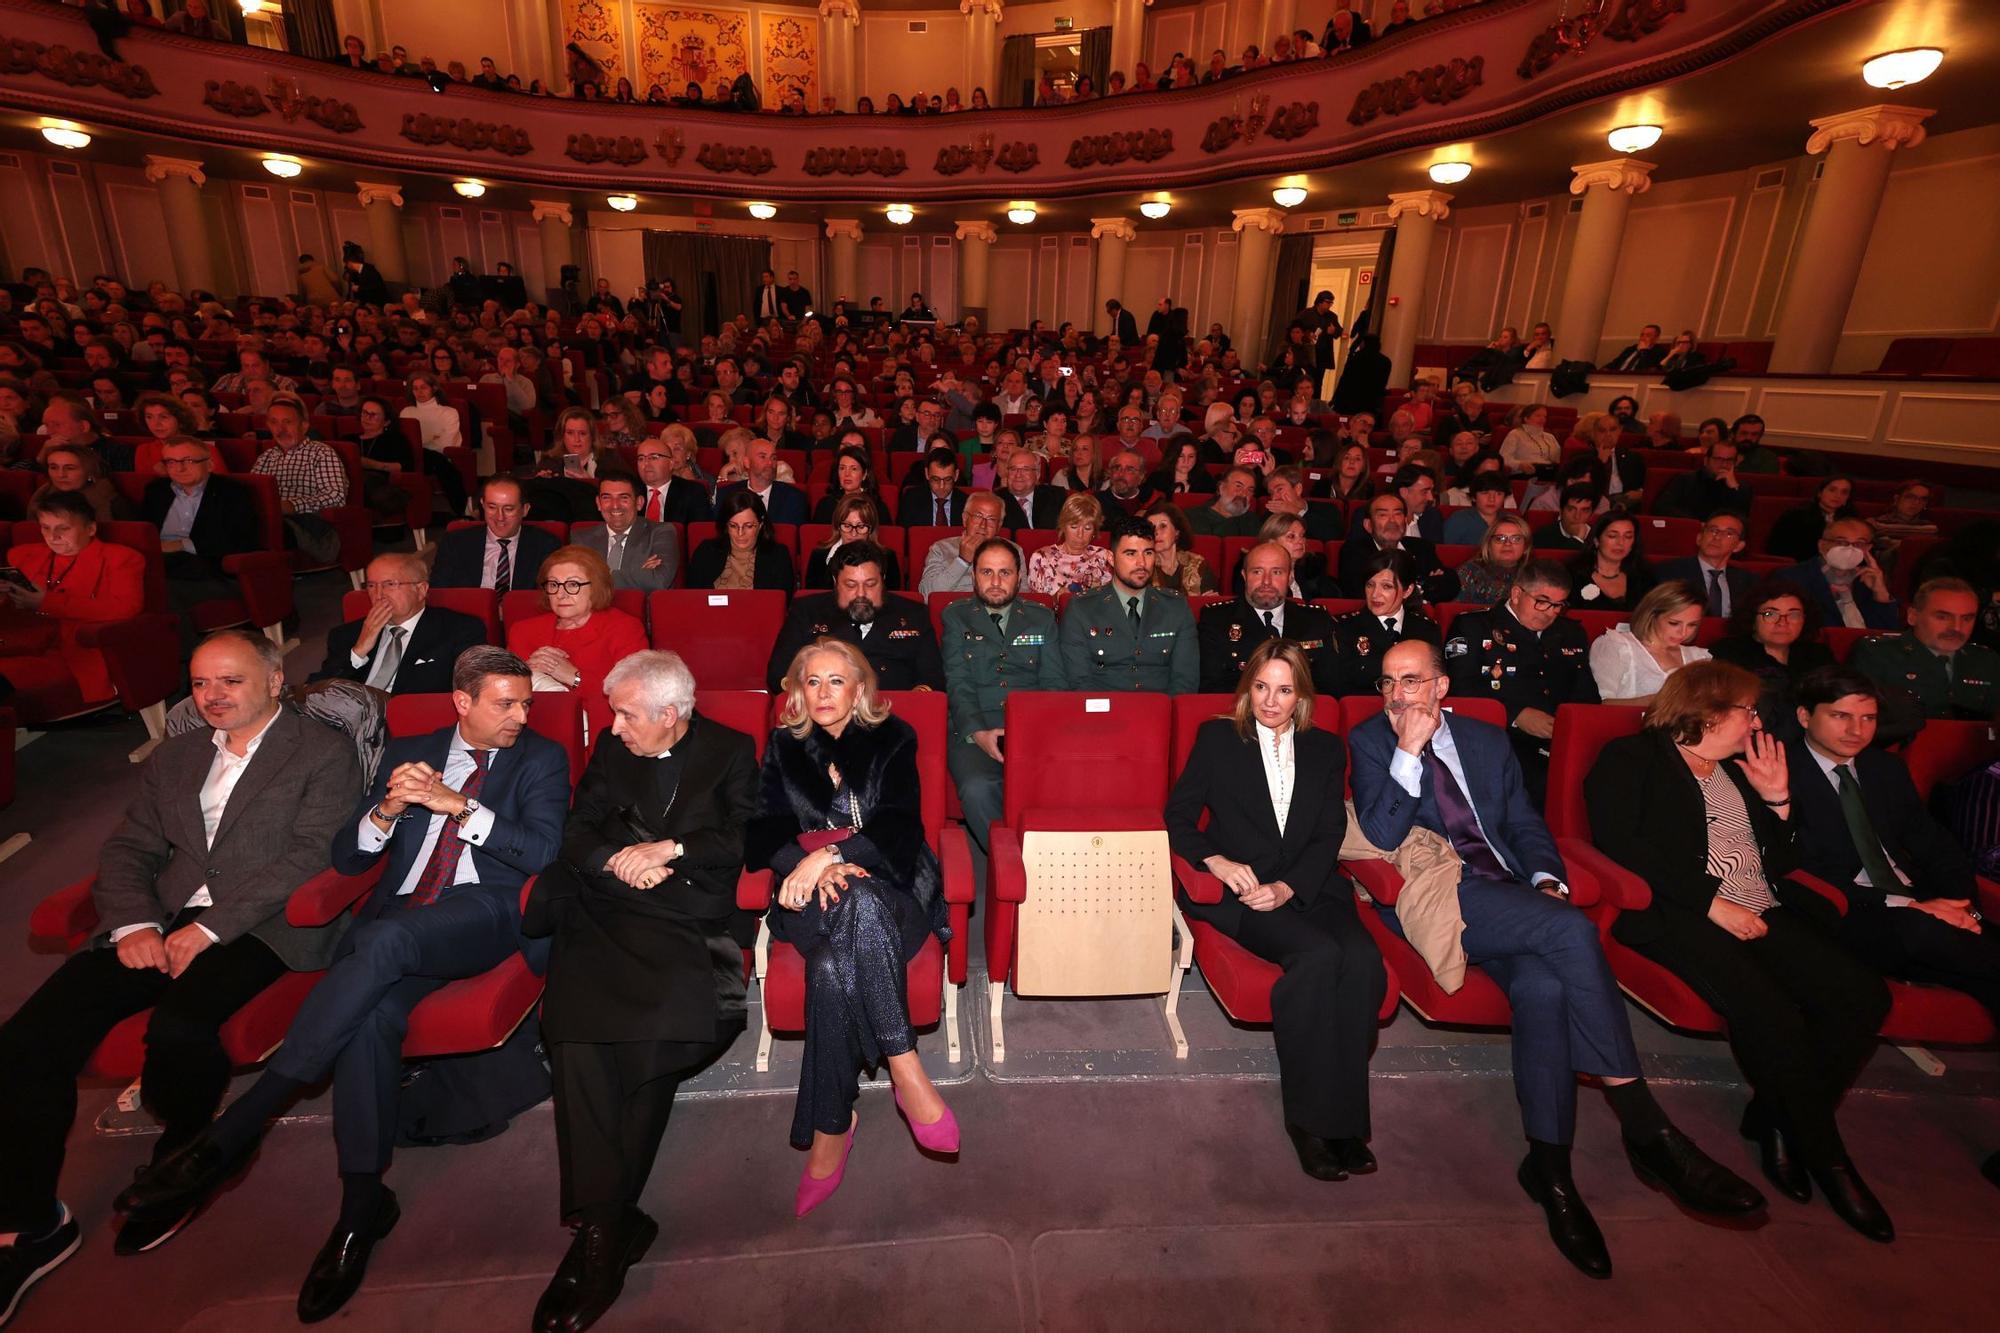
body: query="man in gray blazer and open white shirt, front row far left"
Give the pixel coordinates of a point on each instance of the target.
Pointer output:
(191, 902)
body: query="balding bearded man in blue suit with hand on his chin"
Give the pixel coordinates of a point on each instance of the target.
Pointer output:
(1419, 766)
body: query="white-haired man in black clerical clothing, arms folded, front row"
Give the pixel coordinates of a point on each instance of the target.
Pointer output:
(647, 980)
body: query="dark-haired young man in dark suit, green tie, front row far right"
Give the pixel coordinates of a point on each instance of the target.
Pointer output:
(1913, 900)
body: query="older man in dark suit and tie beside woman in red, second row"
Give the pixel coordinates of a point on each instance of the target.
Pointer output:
(403, 645)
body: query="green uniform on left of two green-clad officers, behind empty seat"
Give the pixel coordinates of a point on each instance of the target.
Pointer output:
(983, 665)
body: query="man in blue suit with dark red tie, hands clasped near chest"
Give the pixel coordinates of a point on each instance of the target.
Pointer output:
(459, 822)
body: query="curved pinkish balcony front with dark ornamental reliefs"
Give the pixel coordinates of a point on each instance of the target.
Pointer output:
(1459, 77)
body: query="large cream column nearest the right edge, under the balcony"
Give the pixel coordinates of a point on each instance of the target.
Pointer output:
(1835, 239)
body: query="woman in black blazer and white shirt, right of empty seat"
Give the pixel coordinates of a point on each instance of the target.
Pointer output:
(1275, 840)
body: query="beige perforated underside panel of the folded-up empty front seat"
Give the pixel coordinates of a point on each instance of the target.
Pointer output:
(1099, 914)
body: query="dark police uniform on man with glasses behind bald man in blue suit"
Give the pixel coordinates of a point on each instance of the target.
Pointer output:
(1493, 655)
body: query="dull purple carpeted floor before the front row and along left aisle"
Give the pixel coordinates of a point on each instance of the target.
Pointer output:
(1103, 1184)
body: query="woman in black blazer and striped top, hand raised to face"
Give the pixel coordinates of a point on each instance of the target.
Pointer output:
(1701, 808)
